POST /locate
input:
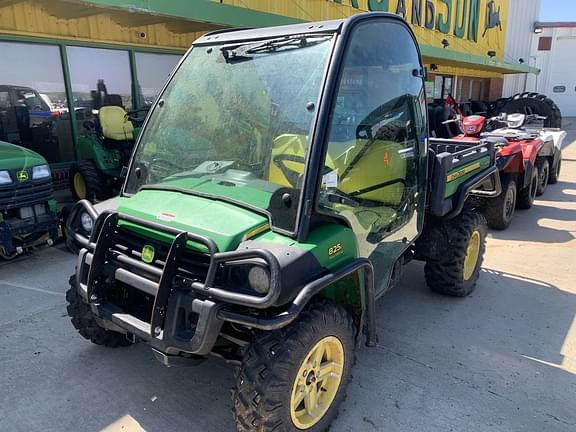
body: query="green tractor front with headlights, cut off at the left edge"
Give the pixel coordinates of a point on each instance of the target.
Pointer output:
(28, 211)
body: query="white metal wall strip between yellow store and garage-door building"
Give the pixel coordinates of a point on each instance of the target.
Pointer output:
(519, 39)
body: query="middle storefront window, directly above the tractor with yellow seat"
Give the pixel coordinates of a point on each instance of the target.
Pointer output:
(100, 77)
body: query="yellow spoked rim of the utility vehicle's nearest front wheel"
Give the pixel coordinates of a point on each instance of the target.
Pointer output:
(317, 382)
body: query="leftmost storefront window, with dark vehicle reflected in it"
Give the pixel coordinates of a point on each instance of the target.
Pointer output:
(33, 106)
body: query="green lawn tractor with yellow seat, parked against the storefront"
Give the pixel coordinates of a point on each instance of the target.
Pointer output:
(104, 148)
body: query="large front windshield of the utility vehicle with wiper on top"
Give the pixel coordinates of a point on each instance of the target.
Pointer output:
(233, 124)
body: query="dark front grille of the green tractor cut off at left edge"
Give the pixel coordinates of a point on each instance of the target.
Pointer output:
(26, 193)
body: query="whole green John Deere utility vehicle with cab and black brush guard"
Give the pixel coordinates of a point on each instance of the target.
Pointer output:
(279, 186)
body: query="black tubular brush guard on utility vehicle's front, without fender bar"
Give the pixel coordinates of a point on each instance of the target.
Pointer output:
(184, 317)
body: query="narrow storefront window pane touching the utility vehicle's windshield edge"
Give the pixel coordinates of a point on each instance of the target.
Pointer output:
(152, 71)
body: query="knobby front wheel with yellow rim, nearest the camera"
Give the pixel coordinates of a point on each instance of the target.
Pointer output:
(279, 377)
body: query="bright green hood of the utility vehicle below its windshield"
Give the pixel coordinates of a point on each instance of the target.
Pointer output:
(224, 223)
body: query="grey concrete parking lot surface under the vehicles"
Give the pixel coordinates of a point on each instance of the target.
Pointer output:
(502, 360)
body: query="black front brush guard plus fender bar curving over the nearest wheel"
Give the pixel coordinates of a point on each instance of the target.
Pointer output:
(187, 316)
